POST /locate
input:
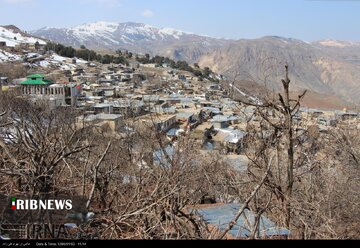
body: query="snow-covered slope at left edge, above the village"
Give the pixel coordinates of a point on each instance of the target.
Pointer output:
(13, 36)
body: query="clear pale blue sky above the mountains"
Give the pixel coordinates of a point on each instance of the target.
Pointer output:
(303, 19)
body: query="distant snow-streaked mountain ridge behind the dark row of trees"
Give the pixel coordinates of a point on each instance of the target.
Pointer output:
(135, 37)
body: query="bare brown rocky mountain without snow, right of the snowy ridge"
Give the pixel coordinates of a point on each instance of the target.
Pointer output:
(311, 68)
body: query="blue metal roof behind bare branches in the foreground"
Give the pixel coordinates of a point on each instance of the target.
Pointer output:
(221, 216)
